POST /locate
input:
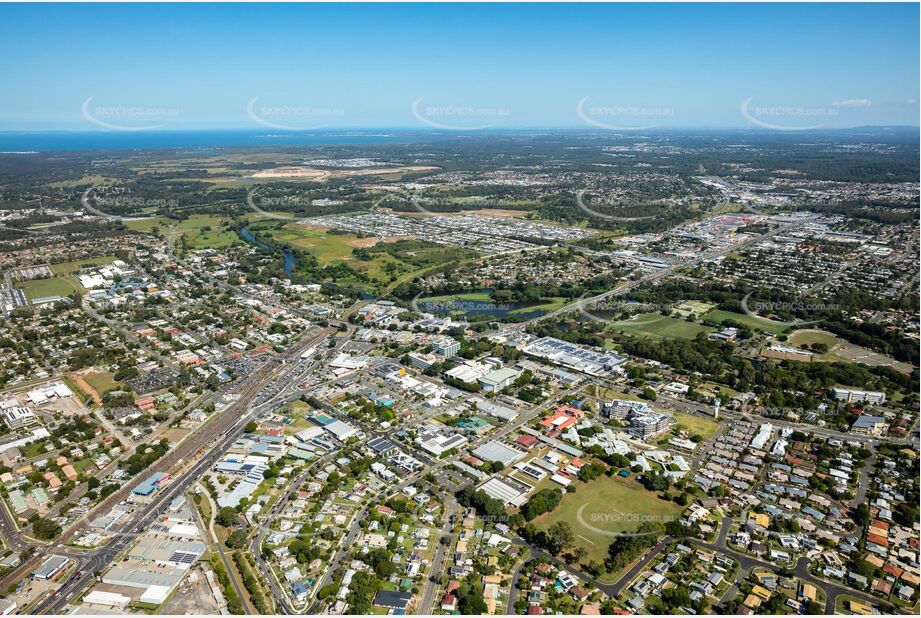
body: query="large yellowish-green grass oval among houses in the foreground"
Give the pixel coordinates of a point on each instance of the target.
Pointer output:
(601, 508)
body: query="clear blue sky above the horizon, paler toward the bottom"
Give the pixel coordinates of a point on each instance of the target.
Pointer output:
(88, 67)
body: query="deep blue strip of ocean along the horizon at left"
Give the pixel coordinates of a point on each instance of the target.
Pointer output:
(119, 140)
